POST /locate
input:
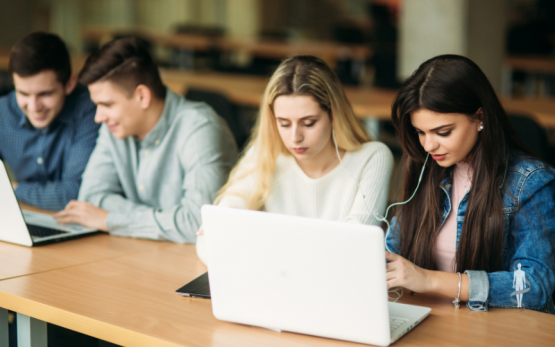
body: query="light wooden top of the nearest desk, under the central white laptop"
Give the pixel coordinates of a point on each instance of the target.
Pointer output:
(131, 300)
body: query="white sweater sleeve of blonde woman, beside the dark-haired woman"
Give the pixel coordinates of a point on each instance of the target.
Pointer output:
(373, 187)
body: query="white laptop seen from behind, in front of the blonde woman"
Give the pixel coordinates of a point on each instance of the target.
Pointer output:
(302, 275)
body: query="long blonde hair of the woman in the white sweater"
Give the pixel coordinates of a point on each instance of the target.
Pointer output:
(300, 75)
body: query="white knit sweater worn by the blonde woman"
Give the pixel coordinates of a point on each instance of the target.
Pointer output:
(354, 191)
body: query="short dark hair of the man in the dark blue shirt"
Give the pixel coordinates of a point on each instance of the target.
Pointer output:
(38, 52)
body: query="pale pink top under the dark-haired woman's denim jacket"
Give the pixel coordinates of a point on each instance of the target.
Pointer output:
(446, 240)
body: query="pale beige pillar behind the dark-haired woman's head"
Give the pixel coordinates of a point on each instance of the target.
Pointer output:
(473, 28)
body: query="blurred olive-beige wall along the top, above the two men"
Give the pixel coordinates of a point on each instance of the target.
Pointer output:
(68, 17)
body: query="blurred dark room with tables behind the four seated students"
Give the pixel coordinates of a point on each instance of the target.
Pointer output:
(223, 51)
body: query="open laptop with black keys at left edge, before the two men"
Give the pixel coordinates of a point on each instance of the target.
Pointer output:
(29, 228)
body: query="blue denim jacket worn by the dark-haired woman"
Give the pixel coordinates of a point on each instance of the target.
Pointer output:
(528, 194)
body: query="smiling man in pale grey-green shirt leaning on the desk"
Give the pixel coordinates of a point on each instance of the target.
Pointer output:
(158, 157)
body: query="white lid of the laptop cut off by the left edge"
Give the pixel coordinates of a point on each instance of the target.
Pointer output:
(12, 224)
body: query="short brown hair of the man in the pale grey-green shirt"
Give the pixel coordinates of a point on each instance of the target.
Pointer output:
(125, 62)
